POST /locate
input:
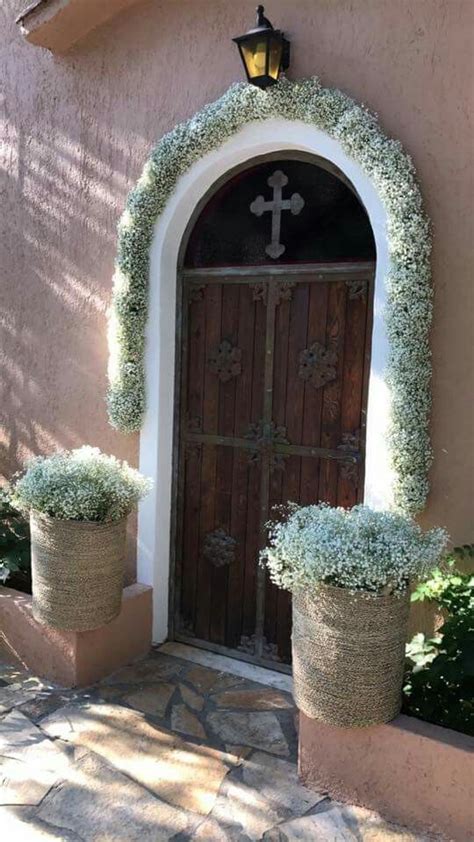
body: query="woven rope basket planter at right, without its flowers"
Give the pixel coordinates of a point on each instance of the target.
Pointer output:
(348, 655)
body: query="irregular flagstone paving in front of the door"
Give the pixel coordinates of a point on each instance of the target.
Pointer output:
(164, 749)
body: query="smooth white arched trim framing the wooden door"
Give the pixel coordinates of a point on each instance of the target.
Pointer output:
(156, 437)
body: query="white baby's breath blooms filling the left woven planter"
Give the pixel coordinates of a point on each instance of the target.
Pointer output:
(82, 484)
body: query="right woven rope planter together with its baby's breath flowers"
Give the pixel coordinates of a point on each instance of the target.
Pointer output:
(349, 572)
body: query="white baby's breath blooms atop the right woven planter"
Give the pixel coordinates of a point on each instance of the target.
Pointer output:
(359, 549)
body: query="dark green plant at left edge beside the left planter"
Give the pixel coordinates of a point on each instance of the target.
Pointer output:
(14, 540)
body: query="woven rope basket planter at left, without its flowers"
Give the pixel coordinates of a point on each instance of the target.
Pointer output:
(77, 570)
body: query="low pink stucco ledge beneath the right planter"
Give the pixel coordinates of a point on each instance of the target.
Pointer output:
(411, 772)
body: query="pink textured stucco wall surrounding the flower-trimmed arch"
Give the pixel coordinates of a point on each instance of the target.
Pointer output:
(79, 128)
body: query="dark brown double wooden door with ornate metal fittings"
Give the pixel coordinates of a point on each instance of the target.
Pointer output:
(273, 379)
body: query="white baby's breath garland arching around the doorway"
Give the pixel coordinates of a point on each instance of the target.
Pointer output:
(409, 296)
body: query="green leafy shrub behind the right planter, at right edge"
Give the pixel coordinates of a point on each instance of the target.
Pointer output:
(440, 680)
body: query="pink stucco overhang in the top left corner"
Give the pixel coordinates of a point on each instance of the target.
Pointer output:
(58, 24)
